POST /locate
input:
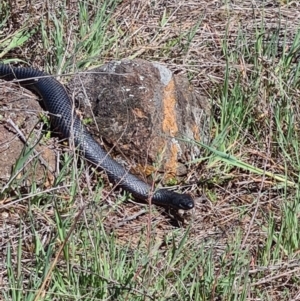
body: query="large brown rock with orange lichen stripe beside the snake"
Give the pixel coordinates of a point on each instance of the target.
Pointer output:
(144, 111)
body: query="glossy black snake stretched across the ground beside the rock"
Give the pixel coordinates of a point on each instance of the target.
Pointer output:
(63, 119)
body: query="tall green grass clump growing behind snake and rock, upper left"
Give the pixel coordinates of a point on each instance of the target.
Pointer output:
(87, 41)
